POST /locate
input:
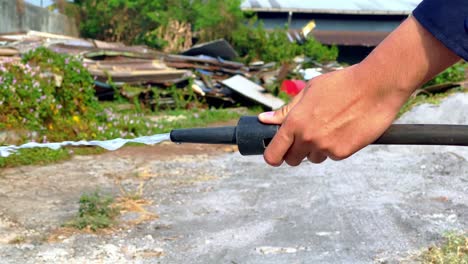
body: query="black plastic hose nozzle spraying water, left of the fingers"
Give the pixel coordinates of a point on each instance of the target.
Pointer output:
(251, 136)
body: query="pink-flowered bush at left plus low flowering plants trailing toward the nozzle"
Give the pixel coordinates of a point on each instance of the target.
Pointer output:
(51, 96)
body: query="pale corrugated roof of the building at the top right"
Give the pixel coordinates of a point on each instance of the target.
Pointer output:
(333, 6)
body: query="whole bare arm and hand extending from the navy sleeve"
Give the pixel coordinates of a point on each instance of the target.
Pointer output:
(341, 112)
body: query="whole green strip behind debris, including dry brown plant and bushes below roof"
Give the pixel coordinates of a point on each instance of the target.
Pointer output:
(203, 20)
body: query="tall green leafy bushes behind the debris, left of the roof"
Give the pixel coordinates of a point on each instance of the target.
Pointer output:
(135, 21)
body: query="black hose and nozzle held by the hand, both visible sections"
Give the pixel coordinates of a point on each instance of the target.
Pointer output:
(252, 136)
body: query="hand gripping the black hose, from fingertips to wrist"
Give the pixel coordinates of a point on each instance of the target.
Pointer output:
(336, 115)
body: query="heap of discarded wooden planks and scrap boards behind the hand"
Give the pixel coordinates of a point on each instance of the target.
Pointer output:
(206, 69)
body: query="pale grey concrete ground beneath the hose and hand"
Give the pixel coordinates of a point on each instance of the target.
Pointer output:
(210, 205)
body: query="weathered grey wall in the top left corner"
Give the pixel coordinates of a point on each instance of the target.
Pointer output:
(34, 18)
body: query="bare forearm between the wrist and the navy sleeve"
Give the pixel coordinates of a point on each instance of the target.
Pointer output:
(405, 60)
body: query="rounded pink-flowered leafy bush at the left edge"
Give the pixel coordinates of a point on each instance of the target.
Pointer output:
(46, 91)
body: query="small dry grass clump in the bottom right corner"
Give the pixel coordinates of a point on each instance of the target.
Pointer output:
(454, 250)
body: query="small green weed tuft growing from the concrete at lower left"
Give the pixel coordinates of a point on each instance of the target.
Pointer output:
(95, 212)
